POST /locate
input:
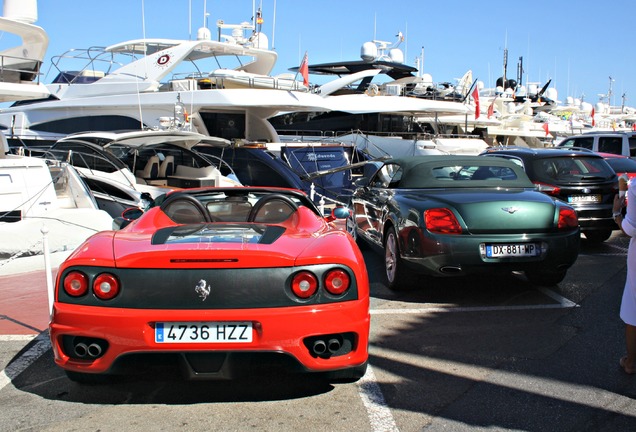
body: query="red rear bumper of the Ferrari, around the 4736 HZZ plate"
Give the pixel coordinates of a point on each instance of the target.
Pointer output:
(276, 330)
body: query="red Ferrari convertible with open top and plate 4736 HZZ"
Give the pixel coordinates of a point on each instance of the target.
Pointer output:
(219, 278)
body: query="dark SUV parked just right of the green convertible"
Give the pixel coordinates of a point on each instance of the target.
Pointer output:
(581, 178)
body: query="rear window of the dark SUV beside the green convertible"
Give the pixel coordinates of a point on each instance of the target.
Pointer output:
(571, 169)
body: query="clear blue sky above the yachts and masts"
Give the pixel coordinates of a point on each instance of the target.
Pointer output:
(579, 45)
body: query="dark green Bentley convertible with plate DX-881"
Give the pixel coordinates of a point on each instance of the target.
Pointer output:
(458, 215)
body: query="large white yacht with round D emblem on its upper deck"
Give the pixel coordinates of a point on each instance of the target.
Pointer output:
(224, 86)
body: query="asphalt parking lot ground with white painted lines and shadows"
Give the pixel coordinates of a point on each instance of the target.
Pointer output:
(488, 353)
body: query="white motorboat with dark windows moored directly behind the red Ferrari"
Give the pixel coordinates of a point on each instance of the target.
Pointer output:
(131, 169)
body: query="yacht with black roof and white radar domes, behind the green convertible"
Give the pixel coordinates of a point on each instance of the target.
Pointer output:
(389, 111)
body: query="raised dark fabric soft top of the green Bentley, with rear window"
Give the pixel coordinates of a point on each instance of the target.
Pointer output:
(451, 171)
